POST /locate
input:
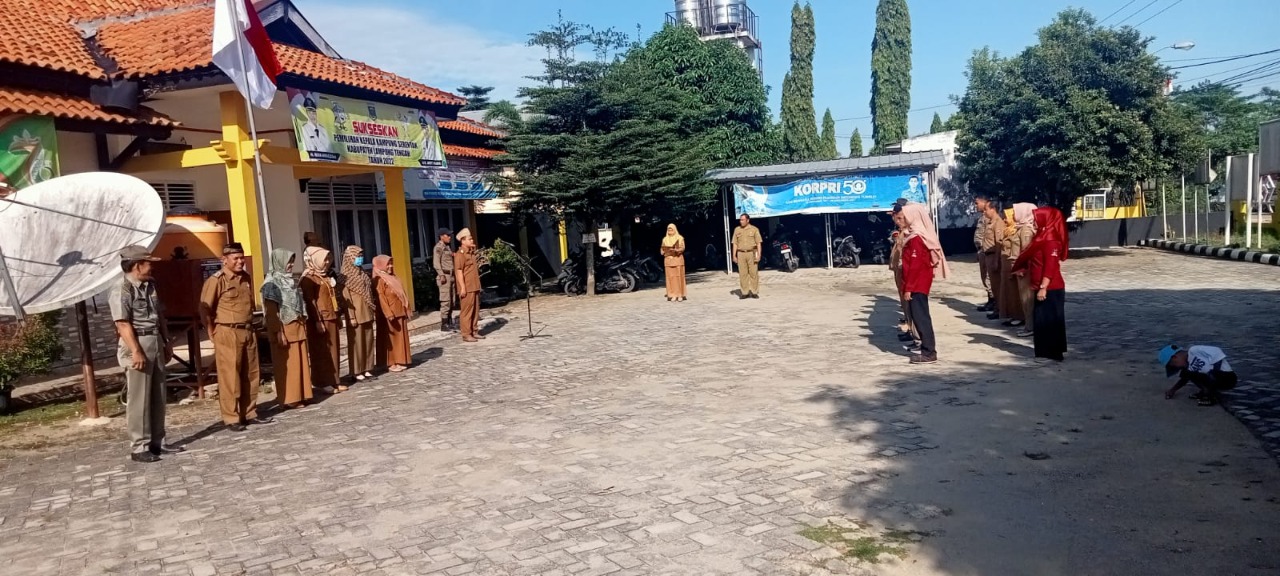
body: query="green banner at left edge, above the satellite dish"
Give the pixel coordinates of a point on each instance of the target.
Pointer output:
(29, 150)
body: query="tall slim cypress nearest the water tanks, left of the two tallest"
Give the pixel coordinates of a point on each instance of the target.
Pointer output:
(799, 126)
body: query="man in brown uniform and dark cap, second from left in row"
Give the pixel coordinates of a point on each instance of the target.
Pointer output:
(227, 313)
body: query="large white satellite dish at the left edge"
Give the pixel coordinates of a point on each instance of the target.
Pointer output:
(61, 239)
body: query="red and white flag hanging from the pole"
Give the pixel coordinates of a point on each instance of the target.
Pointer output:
(244, 52)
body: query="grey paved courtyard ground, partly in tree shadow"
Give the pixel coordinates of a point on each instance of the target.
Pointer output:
(701, 438)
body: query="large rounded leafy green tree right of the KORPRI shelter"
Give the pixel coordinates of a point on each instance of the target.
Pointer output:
(1078, 111)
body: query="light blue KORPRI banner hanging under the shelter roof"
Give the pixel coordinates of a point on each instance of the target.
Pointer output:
(843, 194)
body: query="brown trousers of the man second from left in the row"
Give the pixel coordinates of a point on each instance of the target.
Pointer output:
(236, 358)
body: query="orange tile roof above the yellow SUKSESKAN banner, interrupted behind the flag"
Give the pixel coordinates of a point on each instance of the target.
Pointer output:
(181, 42)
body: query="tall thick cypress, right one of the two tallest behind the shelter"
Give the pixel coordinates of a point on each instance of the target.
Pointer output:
(892, 74)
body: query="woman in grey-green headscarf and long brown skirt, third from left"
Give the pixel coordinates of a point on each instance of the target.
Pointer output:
(287, 331)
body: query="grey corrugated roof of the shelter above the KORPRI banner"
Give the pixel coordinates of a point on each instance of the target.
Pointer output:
(926, 161)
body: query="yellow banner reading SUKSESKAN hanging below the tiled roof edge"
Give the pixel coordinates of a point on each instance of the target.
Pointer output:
(337, 130)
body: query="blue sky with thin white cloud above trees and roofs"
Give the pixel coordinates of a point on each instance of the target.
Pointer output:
(482, 42)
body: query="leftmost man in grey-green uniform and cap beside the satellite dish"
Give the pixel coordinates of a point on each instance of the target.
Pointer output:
(143, 353)
